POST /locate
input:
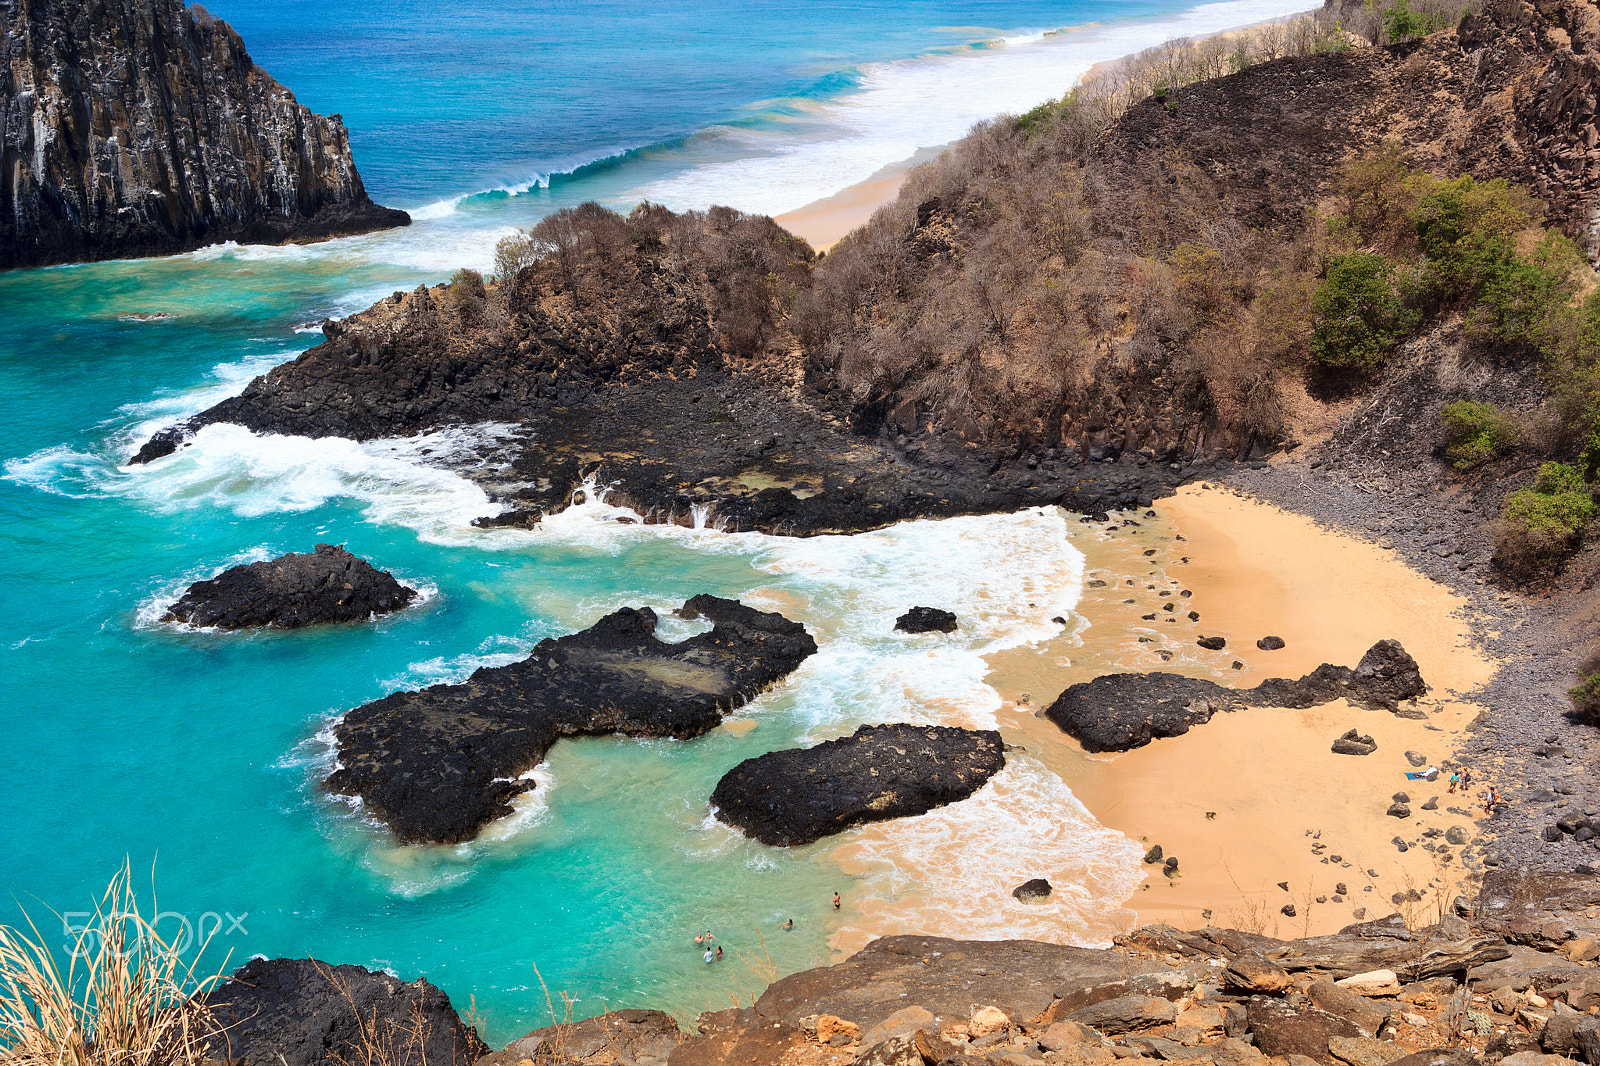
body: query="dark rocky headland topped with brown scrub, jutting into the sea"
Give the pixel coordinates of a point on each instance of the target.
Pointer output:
(652, 361)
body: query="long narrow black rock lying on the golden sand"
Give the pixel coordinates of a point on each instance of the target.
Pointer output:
(1124, 711)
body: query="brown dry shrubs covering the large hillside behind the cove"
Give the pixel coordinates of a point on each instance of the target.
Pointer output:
(1020, 295)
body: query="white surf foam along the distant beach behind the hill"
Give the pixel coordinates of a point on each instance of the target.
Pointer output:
(924, 103)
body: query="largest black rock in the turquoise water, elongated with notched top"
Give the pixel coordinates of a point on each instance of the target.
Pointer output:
(436, 766)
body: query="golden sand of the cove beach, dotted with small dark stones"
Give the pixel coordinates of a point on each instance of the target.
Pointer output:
(1257, 798)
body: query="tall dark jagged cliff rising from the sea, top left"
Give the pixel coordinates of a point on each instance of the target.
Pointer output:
(143, 127)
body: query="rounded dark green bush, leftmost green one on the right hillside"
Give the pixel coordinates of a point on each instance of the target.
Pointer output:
(1361, 319)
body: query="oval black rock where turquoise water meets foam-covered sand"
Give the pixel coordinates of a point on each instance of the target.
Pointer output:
(879, 772)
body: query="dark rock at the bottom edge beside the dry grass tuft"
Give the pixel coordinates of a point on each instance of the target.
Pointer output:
(302, 1012)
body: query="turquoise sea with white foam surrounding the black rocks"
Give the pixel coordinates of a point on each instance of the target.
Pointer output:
(198, 753)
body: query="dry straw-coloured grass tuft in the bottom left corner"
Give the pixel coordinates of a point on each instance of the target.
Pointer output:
(124, 1000)
